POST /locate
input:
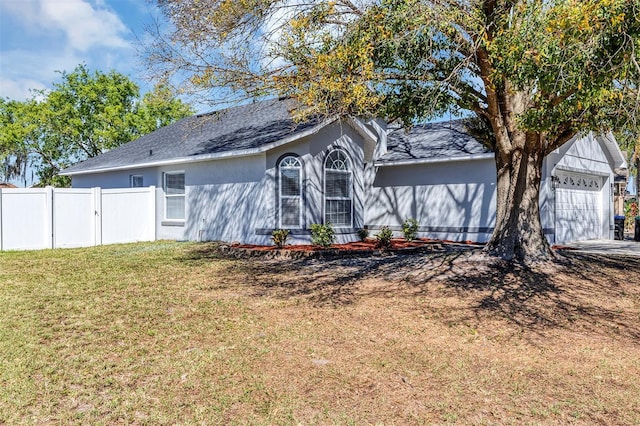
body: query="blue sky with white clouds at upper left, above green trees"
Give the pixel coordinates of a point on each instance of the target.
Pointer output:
(40, 37)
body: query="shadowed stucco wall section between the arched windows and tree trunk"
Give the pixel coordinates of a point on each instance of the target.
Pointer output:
(454, 200)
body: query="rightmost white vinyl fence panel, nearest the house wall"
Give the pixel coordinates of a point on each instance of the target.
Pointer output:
(128, 215)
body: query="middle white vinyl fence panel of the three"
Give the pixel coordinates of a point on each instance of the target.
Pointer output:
(74, 217)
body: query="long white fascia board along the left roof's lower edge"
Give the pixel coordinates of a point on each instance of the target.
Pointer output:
(207, 157)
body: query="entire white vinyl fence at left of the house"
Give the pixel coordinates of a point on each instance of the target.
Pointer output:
(68, 217)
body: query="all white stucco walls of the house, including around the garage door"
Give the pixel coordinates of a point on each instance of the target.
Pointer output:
(235, 199)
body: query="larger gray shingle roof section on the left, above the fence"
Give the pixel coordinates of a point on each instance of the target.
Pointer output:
(233, 129)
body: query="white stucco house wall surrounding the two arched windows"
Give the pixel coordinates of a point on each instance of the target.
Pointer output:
(235, 199)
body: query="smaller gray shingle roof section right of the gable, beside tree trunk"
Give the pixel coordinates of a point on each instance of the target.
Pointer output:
(431, 141)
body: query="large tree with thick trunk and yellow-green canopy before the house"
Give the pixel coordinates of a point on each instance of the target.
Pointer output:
(534, 73)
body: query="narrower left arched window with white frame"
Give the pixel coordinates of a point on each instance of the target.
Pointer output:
(290, 192)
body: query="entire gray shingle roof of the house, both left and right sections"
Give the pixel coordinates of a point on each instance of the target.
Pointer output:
(257, 124)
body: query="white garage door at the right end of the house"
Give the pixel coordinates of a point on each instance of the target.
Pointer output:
(578, 207)
